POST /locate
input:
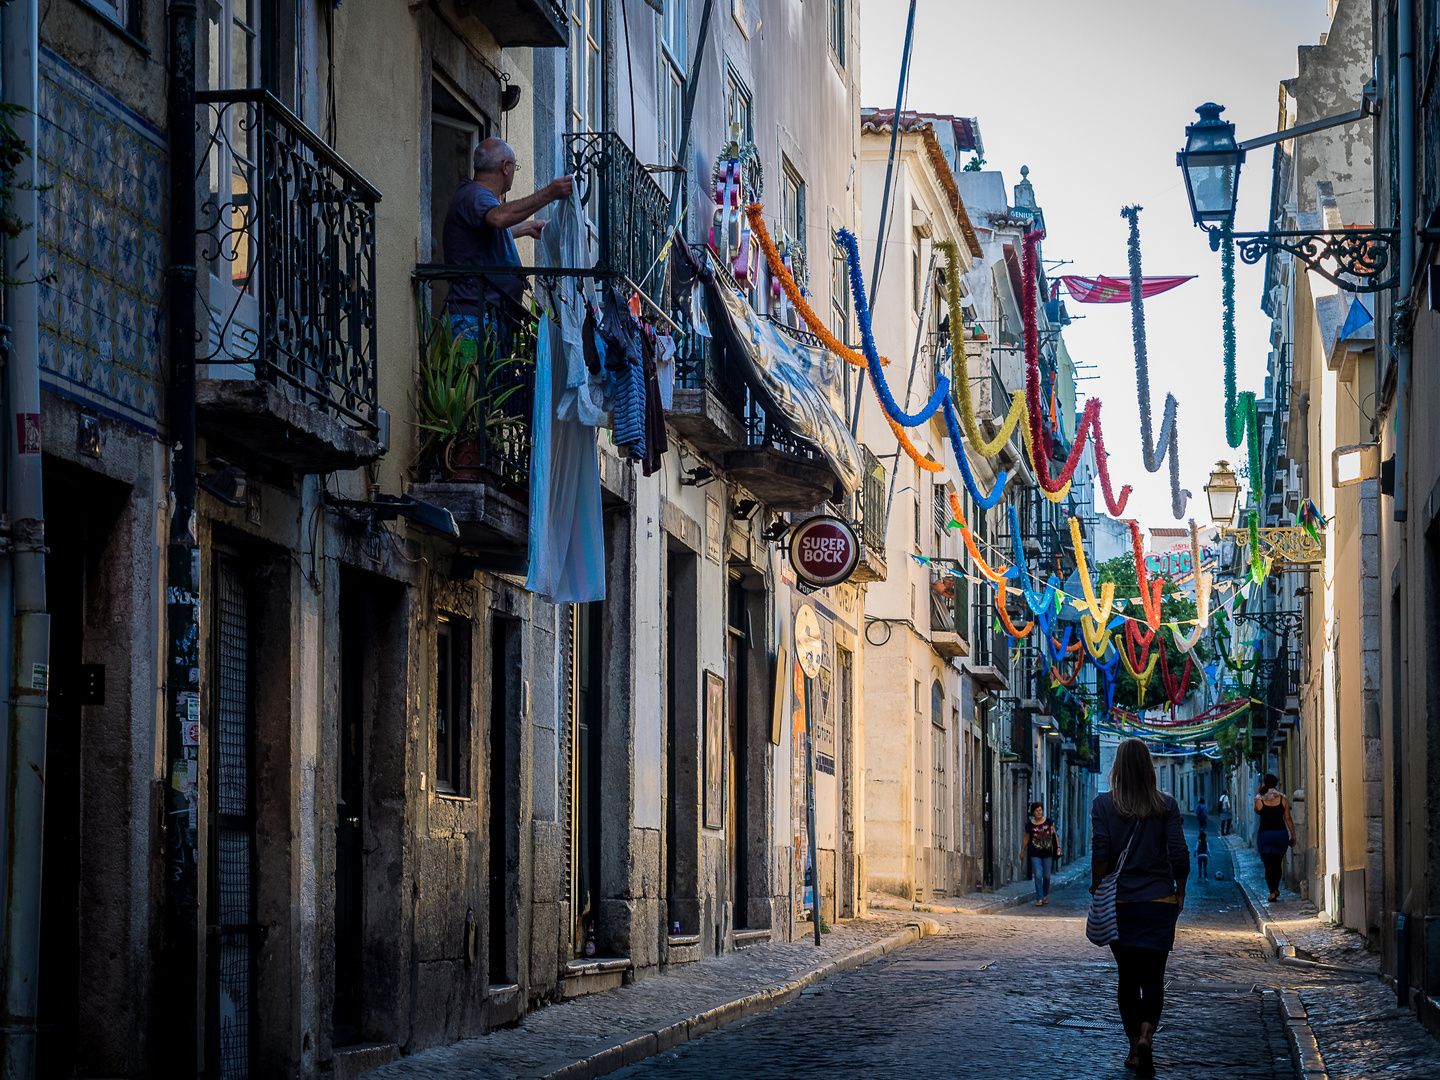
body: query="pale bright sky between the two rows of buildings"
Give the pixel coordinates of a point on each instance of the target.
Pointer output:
(1095, 99)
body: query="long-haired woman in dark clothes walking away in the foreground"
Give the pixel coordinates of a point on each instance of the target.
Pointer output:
(1138, 822)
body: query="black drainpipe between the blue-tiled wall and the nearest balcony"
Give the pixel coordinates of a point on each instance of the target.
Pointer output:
(178, 1022)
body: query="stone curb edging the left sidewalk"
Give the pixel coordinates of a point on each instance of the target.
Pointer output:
(639, 1048)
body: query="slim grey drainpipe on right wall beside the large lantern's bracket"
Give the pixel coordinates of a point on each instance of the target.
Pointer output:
(1402, 330)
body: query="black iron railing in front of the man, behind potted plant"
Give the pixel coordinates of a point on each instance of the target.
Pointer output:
(473, 313)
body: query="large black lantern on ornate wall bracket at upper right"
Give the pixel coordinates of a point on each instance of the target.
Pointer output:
(1212, 162)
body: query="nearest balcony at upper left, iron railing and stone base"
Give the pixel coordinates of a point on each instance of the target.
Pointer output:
(287, 237)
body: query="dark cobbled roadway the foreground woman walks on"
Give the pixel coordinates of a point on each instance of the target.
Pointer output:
(1020, 994)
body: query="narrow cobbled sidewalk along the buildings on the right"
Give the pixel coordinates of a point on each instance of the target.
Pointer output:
(1357, 1026)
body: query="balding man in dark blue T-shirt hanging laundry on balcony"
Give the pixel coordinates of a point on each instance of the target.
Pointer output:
(482, 231)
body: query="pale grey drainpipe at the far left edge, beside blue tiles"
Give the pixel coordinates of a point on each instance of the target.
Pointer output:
(31, 624)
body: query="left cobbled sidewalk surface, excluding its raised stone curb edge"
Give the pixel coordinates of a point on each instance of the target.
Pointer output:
(575, 1030)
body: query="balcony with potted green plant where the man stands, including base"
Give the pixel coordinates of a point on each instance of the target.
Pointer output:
(474, 407)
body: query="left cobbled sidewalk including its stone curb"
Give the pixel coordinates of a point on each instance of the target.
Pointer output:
(600, 1033)
